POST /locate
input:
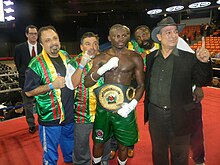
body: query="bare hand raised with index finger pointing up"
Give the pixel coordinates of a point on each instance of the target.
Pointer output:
(202, 53)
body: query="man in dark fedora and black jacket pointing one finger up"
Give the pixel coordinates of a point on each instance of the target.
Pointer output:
(168, 97)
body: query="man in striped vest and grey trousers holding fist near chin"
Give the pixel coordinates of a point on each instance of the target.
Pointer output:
(84, 100)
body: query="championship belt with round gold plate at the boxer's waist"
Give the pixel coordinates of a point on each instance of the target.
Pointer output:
(112, 96)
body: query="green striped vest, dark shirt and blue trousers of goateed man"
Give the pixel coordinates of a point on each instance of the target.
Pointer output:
(54, 108)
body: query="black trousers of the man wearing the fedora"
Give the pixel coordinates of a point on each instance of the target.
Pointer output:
(165, 143)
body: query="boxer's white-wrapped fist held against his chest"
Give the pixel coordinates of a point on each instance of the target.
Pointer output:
(111, 64)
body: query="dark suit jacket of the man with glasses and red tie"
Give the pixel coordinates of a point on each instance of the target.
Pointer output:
(22, 58)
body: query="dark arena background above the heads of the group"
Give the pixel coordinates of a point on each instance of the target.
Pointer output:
(96, 16)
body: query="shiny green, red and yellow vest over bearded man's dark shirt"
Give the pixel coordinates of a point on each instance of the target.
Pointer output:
(51, 106)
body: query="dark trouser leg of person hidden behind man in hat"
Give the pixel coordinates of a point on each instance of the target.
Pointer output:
(197, 137)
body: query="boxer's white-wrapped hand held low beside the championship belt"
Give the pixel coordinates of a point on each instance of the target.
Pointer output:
(127, 108)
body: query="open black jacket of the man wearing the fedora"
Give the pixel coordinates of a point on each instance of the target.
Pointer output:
(187, 70)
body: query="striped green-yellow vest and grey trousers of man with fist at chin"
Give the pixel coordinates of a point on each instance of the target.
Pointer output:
(84, 115)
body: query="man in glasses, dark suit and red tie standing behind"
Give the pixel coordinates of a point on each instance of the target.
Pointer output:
(23, 54)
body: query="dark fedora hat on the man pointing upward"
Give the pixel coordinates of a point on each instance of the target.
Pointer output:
(168, 21)
